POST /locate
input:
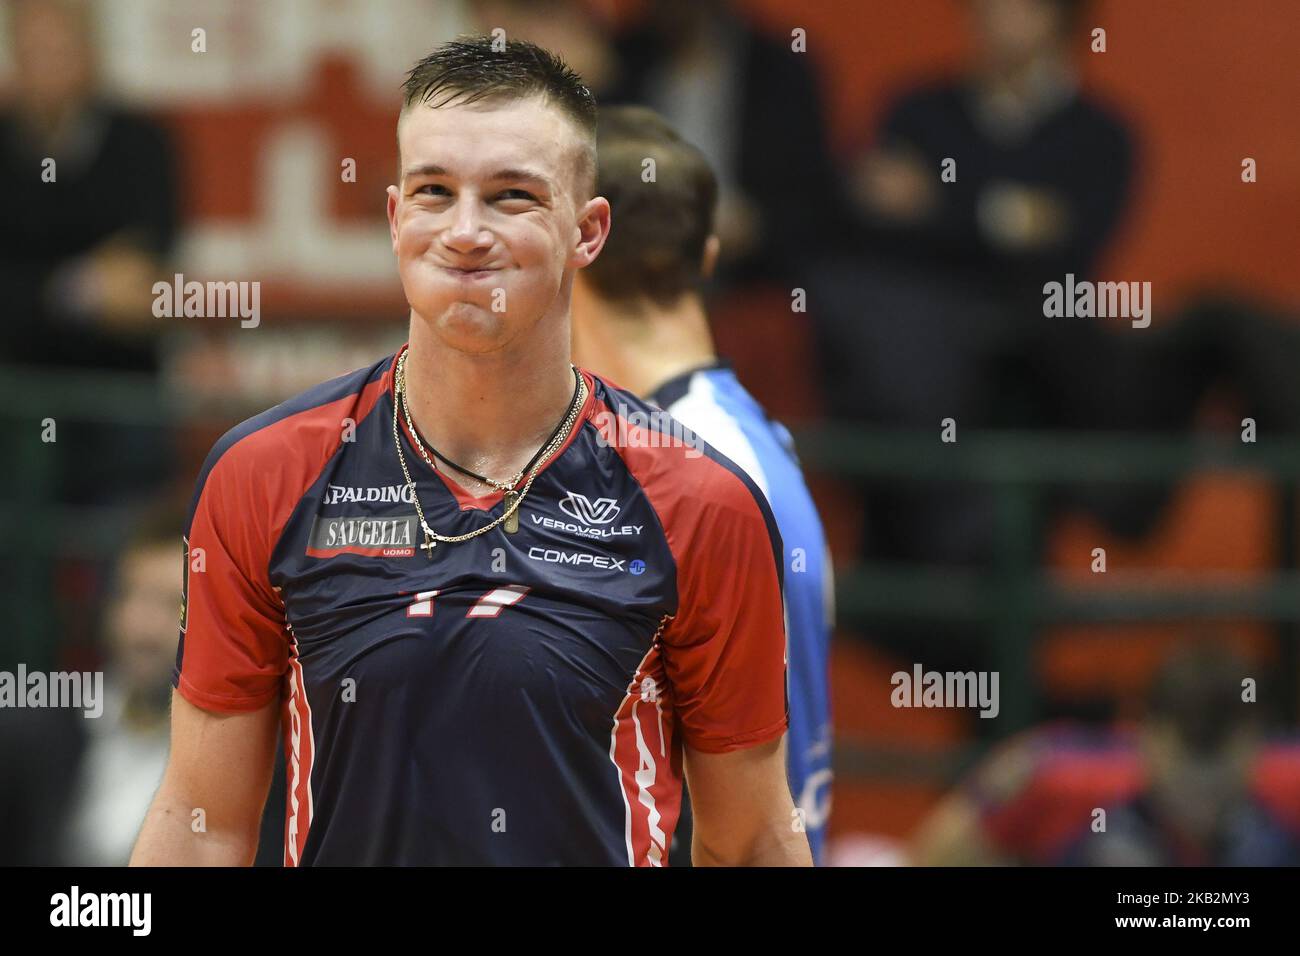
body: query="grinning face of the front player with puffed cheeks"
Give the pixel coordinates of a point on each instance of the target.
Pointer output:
(488, 222)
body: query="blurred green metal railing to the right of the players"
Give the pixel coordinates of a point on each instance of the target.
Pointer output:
(1015, 598)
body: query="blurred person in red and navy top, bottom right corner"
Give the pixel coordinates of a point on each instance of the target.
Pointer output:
(1197, 784)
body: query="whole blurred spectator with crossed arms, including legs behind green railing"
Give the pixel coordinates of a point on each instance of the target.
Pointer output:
(935, 310)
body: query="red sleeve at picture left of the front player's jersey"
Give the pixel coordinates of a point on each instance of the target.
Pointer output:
(235, 646)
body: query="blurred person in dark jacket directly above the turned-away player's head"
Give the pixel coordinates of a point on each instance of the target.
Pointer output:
(755, 110)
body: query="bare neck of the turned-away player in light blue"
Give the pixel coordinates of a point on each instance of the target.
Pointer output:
(644, 348)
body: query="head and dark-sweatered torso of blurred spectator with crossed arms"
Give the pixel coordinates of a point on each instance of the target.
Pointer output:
(1041, 172)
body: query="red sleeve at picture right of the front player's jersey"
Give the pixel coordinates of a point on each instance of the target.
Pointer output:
(725, 651)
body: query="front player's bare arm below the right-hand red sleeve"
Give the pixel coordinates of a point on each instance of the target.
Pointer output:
(744, 815)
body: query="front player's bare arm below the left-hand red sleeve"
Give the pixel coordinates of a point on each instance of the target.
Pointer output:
(220, 764)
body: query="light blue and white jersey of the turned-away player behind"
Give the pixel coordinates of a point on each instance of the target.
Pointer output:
(712, 403)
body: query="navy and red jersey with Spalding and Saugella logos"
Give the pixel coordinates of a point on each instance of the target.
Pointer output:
(512, 699)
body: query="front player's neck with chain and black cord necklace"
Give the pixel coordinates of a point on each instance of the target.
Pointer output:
(491, 412)
